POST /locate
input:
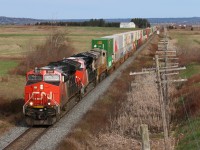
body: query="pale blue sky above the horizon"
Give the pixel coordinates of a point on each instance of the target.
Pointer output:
(87, 9)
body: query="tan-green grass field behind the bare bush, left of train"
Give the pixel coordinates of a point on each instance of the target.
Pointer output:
(15, 41)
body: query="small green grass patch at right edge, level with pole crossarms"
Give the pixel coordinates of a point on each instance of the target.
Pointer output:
(191, 69)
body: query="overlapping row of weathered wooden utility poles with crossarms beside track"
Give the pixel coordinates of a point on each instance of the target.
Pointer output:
(164, 67)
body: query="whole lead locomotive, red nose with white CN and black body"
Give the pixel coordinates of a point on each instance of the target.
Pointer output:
(48, 90)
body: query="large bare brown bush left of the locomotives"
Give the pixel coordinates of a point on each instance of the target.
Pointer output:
(55, 48)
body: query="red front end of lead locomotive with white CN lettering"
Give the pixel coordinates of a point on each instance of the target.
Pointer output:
(42, 95)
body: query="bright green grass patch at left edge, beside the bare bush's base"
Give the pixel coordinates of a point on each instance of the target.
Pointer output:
(6, 65)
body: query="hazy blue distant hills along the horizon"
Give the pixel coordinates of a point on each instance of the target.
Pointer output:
(21, 21)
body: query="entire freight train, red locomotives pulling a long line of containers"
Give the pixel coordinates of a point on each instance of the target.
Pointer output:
(55, 88)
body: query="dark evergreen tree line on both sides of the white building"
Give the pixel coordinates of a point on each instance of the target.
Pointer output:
(140, 23)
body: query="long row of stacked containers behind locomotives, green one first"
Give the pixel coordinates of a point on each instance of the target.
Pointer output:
(119, 45)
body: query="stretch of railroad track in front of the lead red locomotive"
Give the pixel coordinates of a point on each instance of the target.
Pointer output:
(27, 139)
